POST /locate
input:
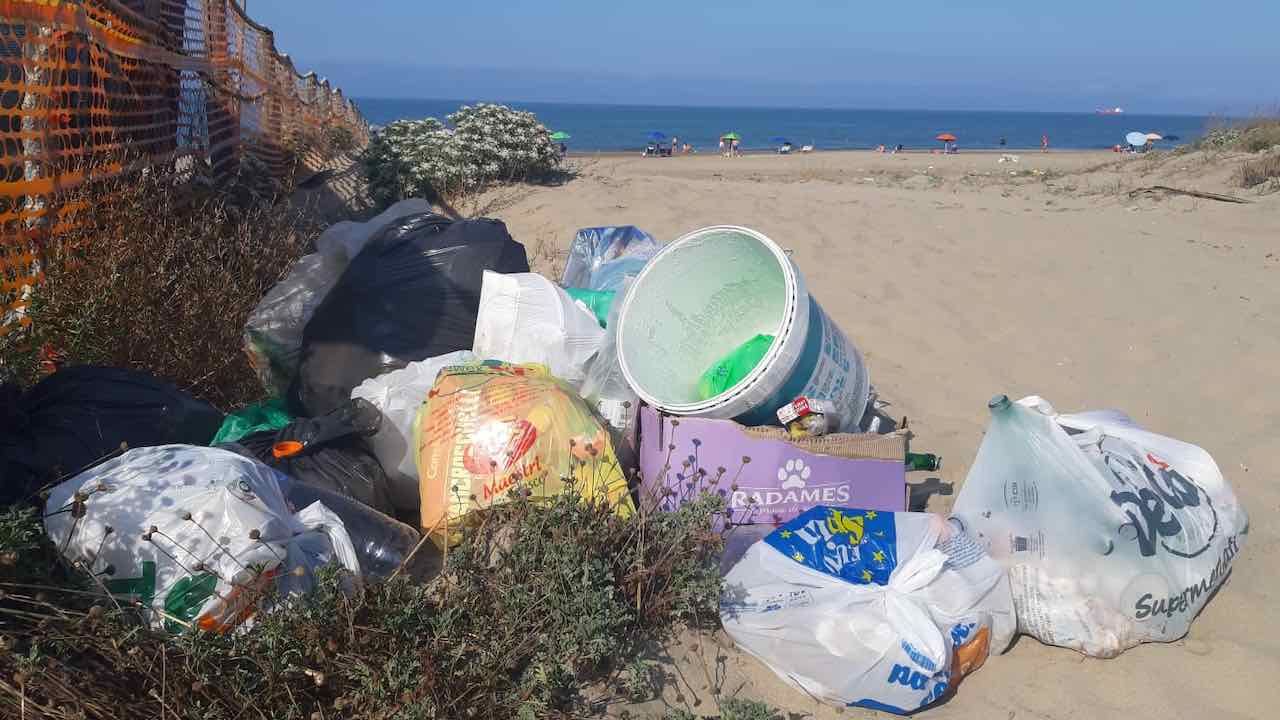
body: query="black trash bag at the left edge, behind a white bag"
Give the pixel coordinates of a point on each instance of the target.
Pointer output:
(80, 416)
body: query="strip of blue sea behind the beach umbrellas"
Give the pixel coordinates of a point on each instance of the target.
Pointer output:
(629, 127)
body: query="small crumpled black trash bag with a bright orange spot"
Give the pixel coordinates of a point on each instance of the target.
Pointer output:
(328, 453)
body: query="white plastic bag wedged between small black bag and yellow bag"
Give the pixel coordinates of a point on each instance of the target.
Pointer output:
(399, 395)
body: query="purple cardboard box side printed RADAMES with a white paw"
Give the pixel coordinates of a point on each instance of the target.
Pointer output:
(765, 481)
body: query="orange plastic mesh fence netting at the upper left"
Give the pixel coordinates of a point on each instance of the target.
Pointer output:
(181, 84)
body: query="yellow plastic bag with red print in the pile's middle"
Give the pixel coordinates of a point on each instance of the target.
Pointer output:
(487, 430)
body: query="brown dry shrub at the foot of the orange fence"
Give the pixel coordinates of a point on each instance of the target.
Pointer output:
(159, 281)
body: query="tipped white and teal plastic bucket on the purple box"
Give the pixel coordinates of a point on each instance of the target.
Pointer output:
(705, 295)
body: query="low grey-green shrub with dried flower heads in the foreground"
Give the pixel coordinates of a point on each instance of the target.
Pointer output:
(540, 600)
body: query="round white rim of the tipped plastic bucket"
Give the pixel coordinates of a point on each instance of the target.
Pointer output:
(794, 285)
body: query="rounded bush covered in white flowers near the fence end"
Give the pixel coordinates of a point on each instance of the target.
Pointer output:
(481, 145)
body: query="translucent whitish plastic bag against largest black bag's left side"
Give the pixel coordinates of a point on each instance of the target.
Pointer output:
(273, 332)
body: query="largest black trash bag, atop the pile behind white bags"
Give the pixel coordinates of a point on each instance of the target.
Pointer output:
(413, 293)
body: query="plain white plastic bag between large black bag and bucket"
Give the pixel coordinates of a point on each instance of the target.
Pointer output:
(527, 318)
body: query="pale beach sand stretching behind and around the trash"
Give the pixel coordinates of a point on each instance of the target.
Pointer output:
(961, 277)
